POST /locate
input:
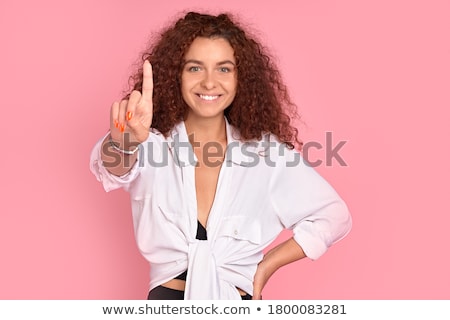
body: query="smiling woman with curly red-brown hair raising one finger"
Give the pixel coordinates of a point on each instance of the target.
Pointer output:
(205, 146)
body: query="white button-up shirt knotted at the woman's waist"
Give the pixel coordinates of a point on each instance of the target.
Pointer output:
(263, 188)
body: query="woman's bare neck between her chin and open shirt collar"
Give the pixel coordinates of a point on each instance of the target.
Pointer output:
(206, 130)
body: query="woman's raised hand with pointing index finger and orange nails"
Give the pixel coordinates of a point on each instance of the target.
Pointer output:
(134, 116)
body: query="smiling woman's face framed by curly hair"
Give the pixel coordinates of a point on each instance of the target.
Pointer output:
(209, 77)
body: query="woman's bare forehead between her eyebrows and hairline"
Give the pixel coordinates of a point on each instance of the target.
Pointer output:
(210, 49)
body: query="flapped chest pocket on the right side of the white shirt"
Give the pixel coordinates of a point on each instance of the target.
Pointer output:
(240, 228)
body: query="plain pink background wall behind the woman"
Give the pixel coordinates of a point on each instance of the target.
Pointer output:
(375, 73)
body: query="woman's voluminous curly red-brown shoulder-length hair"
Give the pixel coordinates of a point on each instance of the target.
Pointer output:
(262, 103)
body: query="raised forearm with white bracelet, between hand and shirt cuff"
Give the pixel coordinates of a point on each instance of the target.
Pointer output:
(117, 163)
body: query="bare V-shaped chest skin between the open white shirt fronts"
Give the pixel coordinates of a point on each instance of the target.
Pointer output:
(206, 178)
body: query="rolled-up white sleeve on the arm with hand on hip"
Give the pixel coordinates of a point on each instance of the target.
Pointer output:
(306, 203)
